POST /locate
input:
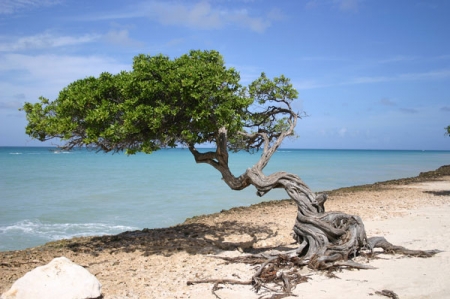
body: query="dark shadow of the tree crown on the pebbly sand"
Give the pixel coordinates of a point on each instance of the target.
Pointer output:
(194, 238)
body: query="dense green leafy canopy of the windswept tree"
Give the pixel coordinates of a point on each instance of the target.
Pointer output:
(162, 102)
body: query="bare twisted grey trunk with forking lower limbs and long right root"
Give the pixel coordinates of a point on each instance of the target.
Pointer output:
(326, 239)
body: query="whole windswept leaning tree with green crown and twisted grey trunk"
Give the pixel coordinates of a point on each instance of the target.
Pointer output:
(196, 99)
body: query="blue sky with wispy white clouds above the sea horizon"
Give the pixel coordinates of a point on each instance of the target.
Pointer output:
(371, 74)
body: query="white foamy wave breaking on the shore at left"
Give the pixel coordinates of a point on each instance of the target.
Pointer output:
(57, 231)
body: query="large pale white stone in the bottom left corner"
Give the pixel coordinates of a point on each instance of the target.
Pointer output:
(59, 279)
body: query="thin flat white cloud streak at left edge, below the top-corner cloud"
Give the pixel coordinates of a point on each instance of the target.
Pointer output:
(45, 40)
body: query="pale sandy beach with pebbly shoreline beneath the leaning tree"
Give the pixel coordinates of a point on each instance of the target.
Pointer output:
(158, 263)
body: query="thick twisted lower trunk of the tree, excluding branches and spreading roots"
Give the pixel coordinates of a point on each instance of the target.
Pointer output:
(323, 237)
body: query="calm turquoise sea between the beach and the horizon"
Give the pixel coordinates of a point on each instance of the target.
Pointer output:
(47, 194)
